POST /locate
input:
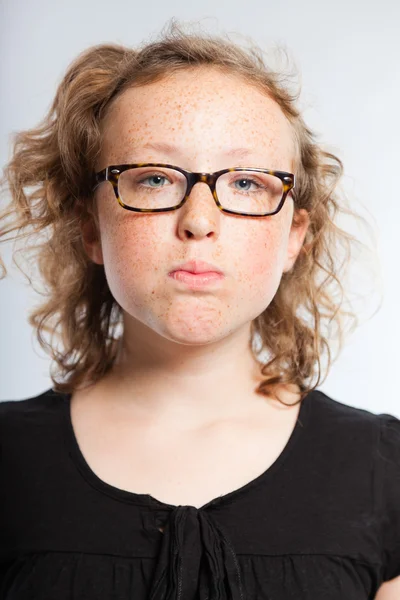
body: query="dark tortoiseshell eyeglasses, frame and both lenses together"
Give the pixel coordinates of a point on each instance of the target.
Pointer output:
(158, 187)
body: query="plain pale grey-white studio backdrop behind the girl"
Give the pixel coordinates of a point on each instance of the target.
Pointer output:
(347, 54)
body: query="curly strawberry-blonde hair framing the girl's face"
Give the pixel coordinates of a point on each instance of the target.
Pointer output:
(49, 179)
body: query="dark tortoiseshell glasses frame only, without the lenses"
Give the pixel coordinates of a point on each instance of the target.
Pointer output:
(113, 172)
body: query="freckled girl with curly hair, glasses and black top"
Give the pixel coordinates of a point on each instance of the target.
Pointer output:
(189, 216)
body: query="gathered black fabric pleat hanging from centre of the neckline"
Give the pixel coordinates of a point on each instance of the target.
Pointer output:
(196, 560)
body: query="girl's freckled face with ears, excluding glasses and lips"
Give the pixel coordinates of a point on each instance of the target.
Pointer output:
(204, 114)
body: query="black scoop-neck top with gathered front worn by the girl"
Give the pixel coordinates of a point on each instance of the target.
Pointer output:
(322, 522)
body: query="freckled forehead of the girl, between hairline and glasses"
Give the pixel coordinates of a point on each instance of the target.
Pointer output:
(203, 111)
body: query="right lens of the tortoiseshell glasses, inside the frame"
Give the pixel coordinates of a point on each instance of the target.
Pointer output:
(249, 192)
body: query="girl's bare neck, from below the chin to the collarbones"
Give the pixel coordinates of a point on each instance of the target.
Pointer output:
(164, 380)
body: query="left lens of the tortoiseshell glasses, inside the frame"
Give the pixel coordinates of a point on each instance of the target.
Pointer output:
(152, 187)
